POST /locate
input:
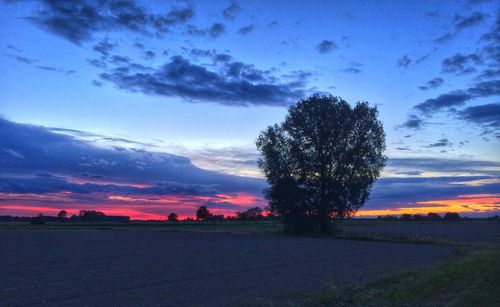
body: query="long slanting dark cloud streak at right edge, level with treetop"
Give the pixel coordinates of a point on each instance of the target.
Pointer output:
(458, 98)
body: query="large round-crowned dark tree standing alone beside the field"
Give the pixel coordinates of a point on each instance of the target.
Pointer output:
(321, 161)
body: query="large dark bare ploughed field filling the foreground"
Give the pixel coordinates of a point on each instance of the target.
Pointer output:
(137, 268)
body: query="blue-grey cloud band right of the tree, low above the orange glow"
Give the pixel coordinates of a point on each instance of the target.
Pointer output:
(399, 192)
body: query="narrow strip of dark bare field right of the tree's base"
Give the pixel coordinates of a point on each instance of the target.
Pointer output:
(464, 231)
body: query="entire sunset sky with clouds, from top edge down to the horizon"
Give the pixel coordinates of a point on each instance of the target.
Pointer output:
(151, 107)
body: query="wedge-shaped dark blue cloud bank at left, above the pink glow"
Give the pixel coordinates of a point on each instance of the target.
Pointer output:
(27, 151)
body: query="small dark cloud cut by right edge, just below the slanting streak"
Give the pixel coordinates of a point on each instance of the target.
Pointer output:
(486, 115)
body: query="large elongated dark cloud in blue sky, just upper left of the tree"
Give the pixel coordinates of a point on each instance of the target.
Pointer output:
(237, 84)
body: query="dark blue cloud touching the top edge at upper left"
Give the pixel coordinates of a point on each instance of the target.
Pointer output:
(78, 21)
